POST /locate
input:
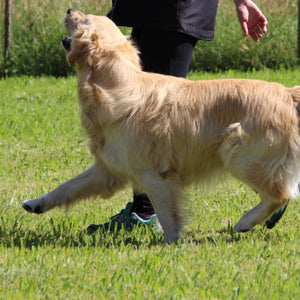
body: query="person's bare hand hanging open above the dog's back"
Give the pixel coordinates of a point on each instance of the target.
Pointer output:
(252, 20)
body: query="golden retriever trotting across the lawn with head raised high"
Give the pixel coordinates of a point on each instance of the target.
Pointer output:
(161, 134)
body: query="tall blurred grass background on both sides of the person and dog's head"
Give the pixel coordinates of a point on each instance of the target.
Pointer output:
(37, 29)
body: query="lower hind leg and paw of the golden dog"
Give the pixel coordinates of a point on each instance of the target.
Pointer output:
(259, 214)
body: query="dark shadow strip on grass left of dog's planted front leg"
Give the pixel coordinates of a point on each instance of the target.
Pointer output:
(18, 237)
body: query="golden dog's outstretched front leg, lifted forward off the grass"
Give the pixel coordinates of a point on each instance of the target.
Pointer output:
(96, 180)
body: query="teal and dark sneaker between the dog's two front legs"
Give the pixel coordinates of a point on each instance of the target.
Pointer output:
(125, 219)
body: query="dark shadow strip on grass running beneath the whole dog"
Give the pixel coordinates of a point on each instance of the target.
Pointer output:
(22, 238)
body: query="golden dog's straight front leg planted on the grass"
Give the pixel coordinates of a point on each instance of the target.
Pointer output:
(169, 202)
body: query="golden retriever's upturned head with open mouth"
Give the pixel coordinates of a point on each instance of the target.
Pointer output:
(90, 36)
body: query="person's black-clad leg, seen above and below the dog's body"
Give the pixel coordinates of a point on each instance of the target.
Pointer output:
(166, 53)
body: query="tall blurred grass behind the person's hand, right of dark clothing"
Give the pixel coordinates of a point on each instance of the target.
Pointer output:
(230, 50)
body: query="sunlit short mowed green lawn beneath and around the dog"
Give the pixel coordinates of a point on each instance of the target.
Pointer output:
(50, 256)
